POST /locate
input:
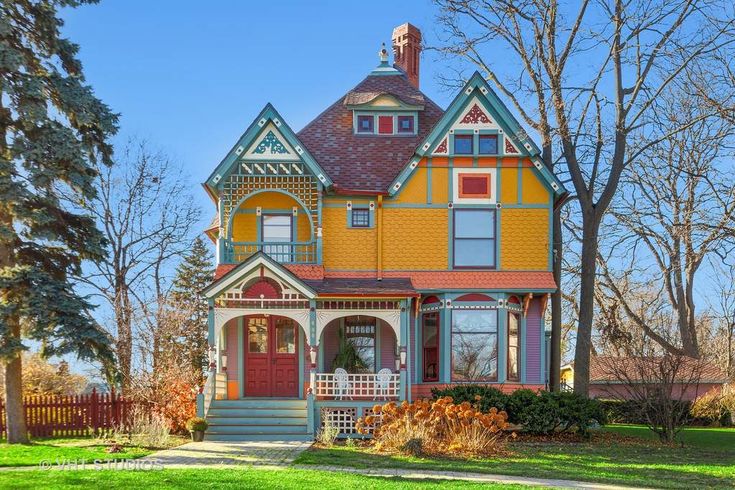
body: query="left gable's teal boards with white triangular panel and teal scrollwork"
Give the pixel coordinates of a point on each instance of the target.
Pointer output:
(276, 136)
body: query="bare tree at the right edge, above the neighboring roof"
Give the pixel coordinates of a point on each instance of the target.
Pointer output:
(676, 210)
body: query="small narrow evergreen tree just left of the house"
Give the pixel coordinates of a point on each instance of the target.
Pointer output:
(193, 274)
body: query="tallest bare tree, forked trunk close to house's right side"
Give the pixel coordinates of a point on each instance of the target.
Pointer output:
(599, 68)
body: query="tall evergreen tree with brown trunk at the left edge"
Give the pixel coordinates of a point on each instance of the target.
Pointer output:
(53, 133)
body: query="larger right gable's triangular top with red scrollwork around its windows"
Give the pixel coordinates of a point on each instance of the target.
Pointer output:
(474, 112)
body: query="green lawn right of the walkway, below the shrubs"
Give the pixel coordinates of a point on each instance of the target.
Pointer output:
(707, 461)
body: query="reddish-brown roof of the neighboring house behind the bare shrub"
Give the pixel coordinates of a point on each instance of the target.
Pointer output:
(616, 369)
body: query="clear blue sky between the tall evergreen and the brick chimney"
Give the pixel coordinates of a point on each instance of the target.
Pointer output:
(191, 76)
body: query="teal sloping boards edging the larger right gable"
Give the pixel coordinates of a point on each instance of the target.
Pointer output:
(475, 86)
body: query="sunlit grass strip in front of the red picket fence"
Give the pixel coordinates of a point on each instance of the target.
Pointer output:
(54, 449)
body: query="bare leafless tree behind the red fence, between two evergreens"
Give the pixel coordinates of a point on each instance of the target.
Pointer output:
(146, 214)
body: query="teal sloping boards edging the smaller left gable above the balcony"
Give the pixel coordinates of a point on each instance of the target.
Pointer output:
(252, 133)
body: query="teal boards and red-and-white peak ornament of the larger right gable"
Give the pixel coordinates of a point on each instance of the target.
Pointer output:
(477, 91)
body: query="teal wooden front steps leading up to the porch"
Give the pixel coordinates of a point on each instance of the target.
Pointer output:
(258, 419)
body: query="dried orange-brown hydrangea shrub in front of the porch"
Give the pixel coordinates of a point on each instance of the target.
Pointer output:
(436, 427)
